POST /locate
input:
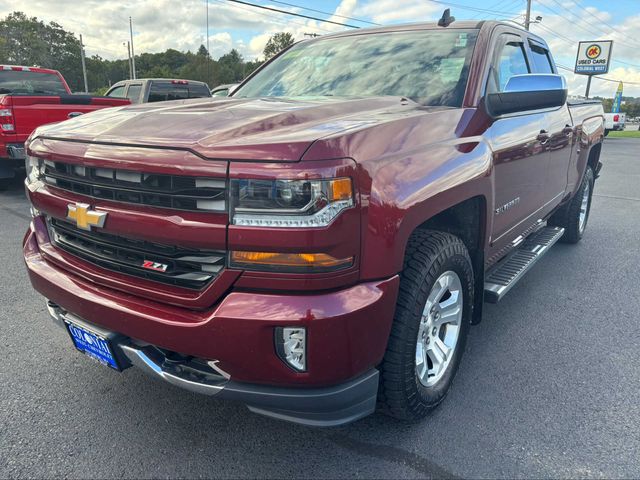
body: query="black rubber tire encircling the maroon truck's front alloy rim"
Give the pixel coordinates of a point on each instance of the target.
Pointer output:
(429, 254)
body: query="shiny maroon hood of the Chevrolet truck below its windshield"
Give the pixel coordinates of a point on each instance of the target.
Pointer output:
(273, 129)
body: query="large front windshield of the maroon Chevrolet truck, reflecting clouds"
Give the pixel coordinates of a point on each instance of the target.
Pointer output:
(427, 66)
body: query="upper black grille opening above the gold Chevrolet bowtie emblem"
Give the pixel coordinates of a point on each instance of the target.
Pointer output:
(156, 190)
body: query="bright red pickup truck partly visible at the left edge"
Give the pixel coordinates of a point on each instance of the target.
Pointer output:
(30, 97)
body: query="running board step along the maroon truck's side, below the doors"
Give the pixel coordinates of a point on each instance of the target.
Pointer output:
(506, 274)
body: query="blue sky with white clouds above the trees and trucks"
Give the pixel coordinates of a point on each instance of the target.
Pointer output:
(180, 24)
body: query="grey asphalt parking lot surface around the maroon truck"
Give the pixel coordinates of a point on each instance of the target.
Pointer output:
(549, 385)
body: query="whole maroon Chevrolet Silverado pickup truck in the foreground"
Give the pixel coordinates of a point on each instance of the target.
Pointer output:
(321, 242)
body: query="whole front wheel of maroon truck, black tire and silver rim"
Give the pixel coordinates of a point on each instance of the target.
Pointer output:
(430, 327)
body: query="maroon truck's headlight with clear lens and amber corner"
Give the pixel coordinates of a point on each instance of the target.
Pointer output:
(289, 203)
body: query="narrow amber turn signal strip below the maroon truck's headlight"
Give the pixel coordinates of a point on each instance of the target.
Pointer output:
(288, 261)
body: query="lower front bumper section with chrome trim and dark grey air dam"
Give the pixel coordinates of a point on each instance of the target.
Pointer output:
(325, 406)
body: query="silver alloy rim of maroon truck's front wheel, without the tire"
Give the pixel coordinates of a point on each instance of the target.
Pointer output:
(439, 329)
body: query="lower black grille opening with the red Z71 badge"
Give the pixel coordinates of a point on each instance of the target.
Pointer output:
(183, 267)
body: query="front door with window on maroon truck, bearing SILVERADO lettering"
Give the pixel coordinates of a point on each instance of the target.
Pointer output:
(520, 159)
